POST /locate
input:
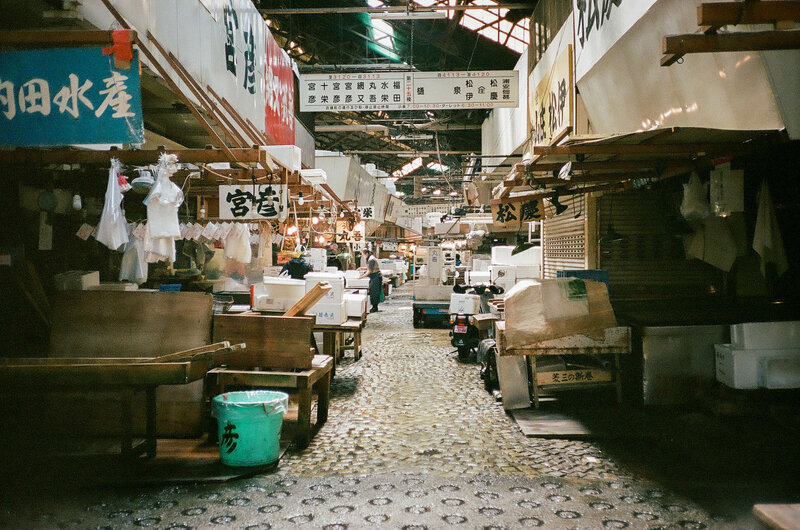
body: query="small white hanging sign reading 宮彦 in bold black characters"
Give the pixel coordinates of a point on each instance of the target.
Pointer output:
(246, 201)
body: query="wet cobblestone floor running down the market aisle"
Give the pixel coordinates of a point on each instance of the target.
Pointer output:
(414, 441)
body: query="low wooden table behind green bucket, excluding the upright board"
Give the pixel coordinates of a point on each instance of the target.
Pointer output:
(306, 383)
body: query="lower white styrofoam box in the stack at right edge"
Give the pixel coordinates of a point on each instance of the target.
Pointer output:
(745, 369)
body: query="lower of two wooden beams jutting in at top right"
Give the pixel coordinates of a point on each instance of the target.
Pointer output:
(731, 42)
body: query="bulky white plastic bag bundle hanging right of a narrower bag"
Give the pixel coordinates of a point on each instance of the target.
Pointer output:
(164, 199)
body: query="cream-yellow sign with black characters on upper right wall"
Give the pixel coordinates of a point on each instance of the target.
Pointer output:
(553, 102)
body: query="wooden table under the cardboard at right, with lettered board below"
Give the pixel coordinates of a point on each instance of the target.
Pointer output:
(617, 341)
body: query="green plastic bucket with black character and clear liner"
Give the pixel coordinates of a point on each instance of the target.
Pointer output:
(249, 426)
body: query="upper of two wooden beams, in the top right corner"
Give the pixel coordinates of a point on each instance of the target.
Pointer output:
(733, 13)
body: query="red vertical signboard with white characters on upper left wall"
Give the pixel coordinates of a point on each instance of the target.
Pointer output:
(279, 79)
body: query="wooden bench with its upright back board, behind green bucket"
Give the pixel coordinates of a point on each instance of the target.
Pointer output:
(280, 354)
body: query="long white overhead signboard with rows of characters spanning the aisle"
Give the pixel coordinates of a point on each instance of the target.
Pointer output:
(409, 91)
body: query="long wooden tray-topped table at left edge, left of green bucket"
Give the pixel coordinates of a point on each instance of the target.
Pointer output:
(126, 375)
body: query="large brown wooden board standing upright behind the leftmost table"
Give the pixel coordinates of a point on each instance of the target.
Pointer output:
(129, 324)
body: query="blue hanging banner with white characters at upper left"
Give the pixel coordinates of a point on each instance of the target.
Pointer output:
(68, 96)
